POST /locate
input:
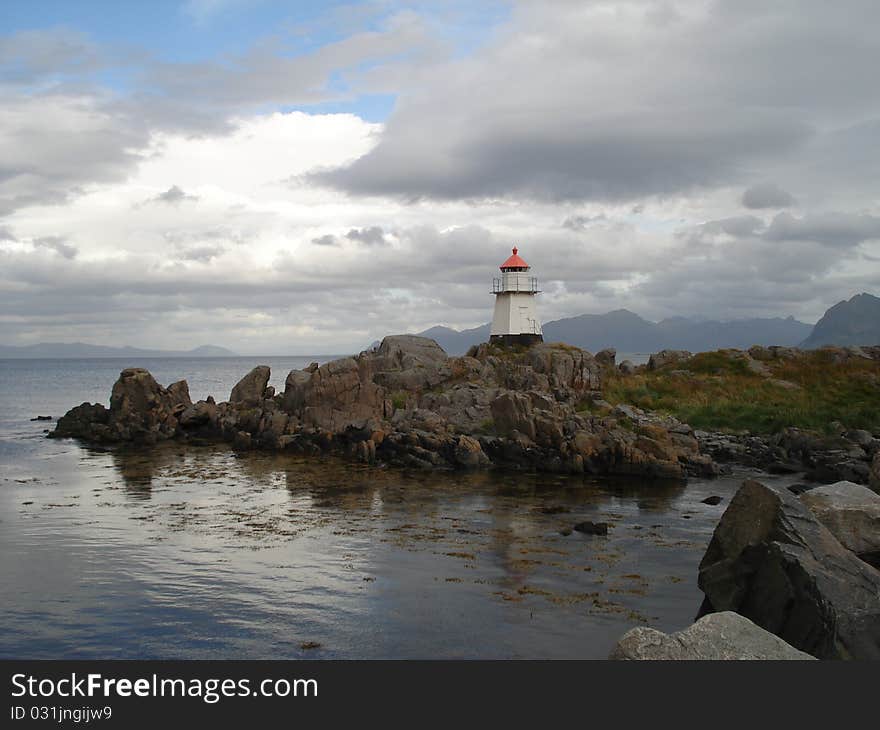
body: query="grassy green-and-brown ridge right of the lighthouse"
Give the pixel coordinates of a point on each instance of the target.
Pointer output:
(719, 391)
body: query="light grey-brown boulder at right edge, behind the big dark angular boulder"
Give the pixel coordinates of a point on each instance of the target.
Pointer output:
(852, 513)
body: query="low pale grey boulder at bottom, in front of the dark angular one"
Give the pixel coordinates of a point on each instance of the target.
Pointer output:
(725, 635)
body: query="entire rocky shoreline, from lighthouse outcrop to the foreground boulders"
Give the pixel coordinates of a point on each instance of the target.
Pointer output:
(789, 573)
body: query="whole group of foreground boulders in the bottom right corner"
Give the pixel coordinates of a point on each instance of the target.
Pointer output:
(784, 577)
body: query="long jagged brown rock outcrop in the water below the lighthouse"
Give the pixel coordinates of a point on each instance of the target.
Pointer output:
(406, 403)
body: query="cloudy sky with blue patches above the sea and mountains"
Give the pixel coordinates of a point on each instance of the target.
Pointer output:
(302, 177)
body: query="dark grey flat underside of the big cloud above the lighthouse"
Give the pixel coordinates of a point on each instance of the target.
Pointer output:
(606, 161)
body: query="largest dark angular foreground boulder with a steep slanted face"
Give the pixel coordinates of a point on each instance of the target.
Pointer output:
(772, 561)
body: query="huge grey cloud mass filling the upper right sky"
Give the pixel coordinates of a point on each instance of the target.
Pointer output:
(603, 101)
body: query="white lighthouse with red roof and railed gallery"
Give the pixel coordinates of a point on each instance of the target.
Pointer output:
(515, 321)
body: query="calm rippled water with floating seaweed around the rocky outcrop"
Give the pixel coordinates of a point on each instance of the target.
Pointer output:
(201, 553)
